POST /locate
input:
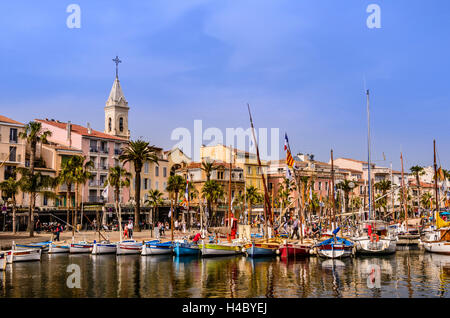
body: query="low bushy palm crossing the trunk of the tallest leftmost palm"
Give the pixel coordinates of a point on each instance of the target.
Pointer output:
(33, 184)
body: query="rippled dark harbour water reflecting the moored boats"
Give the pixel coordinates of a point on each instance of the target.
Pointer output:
(404, 274)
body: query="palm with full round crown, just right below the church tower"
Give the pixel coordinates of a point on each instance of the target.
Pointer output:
(138, 152)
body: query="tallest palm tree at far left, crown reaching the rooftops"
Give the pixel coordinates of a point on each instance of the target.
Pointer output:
(33, 134)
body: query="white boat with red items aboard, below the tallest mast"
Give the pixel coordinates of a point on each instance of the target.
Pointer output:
(375, 237)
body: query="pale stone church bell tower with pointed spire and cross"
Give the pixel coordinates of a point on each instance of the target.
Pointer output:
(116, 109)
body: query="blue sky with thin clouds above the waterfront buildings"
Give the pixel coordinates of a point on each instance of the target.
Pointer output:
(300, 65)
